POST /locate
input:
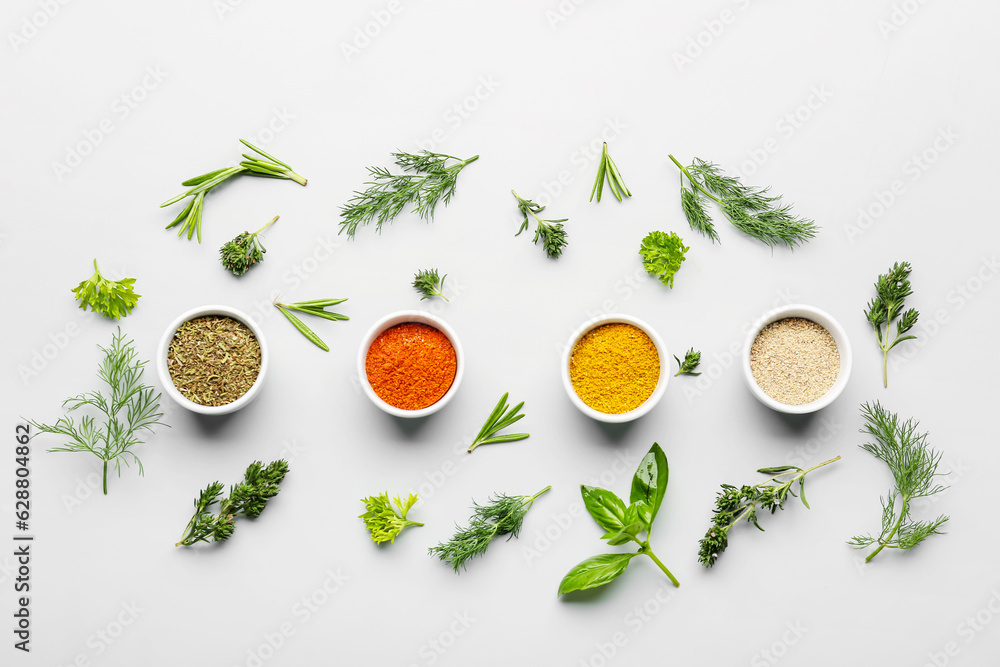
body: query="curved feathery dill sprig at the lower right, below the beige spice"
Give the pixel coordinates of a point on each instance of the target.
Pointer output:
(913, 465)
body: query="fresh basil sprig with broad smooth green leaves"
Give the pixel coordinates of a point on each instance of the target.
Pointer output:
(623, 524)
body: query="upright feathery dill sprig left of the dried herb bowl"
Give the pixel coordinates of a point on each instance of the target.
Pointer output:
(115, 438)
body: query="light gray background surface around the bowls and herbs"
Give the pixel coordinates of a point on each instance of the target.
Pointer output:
(888, 82)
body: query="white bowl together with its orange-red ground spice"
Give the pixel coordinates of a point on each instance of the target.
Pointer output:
(410, 363)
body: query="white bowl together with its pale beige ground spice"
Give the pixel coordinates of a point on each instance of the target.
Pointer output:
(797, 359)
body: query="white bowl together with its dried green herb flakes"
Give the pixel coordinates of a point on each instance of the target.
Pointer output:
(212, 360)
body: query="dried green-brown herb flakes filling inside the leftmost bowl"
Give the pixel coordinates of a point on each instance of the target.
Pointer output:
(213, 360)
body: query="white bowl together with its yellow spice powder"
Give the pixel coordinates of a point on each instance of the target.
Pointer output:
(614, 368)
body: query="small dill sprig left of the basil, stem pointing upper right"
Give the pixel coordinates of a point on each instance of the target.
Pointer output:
(502, 515)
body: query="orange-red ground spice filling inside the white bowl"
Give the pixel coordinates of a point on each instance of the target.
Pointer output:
(411, 365)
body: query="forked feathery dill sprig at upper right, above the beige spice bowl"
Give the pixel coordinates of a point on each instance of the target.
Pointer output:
(749, 208)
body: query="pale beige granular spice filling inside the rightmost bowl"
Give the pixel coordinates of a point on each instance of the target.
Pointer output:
(794, 360)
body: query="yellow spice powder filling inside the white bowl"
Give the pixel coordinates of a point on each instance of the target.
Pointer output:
(614, 368)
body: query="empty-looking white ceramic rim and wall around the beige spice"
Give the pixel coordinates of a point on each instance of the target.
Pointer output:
(821, 318)
